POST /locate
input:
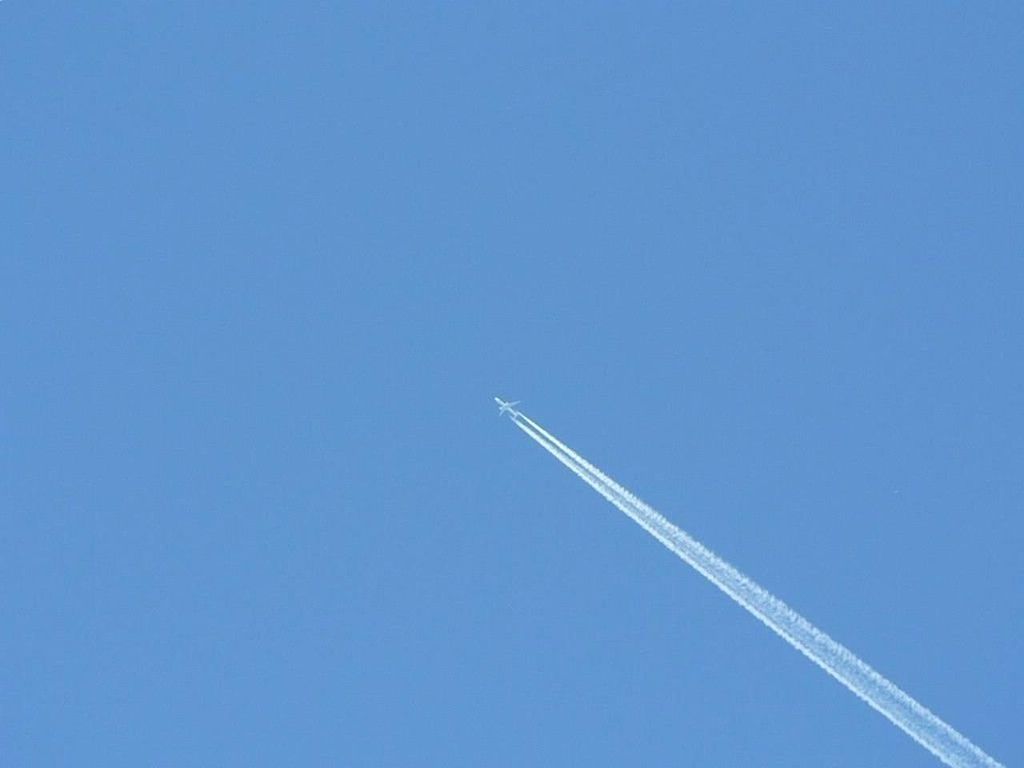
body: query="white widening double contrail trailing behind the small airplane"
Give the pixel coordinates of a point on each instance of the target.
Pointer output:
(931, 733)
